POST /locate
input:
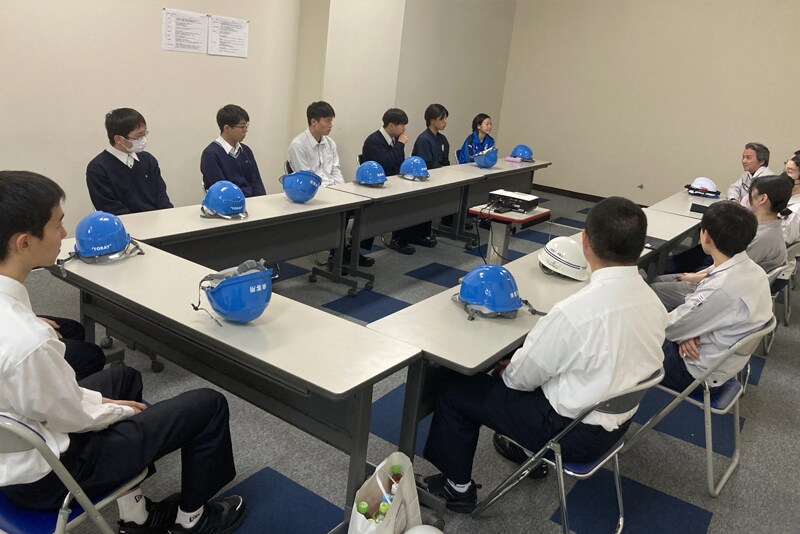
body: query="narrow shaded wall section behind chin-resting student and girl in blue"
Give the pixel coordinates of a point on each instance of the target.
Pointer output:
(454, 52)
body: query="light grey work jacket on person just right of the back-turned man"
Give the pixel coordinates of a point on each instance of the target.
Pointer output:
(733, 300)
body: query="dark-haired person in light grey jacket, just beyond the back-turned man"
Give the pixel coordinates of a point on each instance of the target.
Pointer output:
(732, 301)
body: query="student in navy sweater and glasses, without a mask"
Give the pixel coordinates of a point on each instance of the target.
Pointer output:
(227, 158)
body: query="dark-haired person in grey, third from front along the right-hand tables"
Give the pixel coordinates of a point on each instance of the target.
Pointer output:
(769, 196)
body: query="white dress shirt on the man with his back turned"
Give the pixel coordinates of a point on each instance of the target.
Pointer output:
(600, 341)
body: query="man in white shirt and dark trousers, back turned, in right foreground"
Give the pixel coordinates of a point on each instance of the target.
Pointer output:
(602, 340)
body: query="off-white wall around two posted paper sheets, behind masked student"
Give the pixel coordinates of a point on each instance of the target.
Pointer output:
(66, 64)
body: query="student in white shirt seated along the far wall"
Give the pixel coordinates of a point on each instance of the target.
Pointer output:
(313, 150)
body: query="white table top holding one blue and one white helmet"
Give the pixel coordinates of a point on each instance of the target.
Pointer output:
(441, 329)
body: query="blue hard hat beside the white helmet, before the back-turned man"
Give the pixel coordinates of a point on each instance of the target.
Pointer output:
(490, 288)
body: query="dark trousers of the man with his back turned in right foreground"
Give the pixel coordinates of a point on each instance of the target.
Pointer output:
(465, 403)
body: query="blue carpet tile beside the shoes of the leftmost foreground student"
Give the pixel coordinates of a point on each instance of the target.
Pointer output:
(278, 505)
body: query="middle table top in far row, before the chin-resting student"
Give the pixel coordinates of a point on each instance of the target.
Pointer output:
(395, 186)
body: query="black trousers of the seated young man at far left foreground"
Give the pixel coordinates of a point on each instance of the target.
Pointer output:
(196, 422)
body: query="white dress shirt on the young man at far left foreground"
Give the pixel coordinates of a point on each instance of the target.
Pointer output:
(38, 387)
